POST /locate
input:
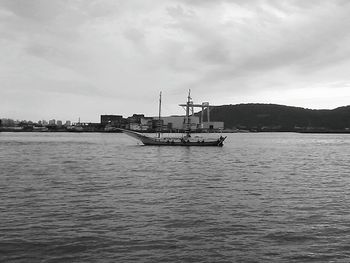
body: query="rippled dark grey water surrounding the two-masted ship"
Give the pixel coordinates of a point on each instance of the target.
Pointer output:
(263, 197)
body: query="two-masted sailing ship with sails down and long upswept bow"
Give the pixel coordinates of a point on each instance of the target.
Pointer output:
(184, 140)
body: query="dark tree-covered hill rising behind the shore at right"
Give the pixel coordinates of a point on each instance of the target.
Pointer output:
(273, 117)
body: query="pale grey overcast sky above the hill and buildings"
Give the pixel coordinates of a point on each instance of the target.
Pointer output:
(66, 59)
